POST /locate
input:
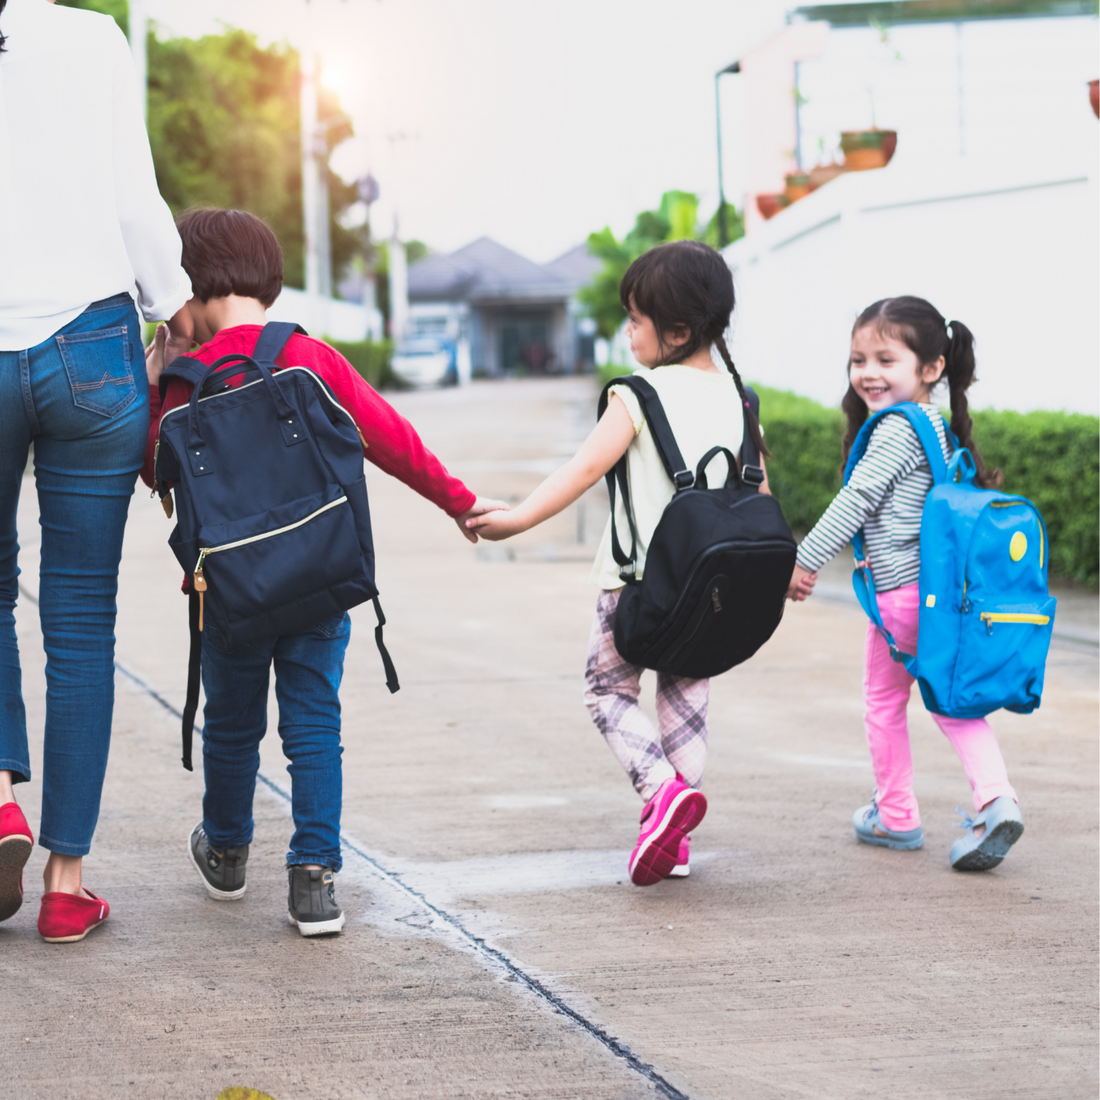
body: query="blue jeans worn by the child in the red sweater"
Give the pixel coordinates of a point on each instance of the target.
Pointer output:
(309, 670)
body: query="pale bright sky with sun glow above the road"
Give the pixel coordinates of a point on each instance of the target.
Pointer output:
(534, 124)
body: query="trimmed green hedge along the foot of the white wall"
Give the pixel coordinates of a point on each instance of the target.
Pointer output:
(1050, 458)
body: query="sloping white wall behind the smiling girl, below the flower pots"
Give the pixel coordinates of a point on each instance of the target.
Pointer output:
(1014, 256)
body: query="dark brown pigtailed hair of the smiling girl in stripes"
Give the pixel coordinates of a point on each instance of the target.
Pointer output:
(921, 327)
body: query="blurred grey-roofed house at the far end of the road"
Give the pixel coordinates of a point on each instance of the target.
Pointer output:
(520, 317)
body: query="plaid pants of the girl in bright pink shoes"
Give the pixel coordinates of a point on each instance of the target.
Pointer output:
(612, 687)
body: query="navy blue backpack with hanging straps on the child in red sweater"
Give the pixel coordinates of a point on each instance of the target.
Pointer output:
(272, 520)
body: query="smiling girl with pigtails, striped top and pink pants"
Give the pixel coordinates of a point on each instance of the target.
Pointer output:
(901, 349)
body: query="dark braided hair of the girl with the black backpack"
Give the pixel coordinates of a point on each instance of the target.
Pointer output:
(688, 285)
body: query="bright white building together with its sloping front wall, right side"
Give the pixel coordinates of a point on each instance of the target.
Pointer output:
(989, 208)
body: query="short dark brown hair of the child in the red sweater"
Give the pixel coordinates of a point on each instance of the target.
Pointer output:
(230, 252)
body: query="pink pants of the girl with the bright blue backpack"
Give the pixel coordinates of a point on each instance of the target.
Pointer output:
(887, 689)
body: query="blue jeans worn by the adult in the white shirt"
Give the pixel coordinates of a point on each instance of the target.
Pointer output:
(82, 400)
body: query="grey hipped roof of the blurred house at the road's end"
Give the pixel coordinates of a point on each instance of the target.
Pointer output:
(485, 271)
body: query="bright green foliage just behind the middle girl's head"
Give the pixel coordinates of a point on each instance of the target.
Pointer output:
(674, 221)
